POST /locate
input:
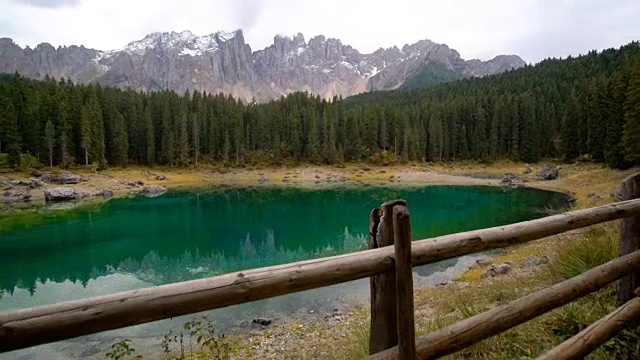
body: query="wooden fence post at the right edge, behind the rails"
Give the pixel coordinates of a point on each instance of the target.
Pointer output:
(629, 240)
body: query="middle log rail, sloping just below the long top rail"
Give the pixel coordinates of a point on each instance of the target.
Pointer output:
(492, 322)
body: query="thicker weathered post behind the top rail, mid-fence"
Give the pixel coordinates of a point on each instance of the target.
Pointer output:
(383, 330)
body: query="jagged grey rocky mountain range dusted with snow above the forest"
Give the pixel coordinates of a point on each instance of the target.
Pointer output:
(224, 62)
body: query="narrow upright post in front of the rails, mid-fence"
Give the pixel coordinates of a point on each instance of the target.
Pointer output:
(404, 283)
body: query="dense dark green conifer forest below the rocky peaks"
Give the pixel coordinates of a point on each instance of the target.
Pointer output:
(586, 106)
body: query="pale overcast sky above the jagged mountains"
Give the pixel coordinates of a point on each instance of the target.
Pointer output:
(533, 29)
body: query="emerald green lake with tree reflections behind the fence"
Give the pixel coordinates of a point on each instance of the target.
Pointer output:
(131, 243)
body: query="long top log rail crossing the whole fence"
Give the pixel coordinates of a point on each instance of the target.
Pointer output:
(44, 324)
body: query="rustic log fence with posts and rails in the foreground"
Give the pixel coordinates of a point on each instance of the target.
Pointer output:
(389, 268)
